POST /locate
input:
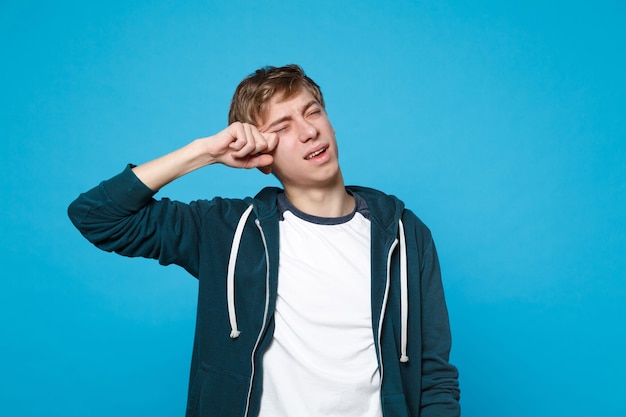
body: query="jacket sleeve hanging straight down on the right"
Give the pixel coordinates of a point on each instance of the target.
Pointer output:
(440, 386)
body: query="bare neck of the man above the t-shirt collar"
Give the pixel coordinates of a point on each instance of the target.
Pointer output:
(322, 202)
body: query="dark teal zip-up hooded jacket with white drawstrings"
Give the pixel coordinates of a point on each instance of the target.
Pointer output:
(235, 324)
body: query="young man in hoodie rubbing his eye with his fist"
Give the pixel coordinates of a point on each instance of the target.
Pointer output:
(315, 300)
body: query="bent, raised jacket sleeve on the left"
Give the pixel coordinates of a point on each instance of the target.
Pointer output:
(120, 215)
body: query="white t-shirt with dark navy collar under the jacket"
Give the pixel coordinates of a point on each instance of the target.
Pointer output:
(322, 360)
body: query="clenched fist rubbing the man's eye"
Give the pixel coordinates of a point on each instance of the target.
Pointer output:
(241, 145)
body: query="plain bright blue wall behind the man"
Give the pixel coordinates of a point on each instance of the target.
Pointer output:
(500, 123)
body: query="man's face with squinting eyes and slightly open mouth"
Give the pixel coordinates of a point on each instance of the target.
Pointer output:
(306, 154)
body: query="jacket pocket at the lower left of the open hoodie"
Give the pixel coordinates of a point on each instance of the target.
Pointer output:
(216, 392)
